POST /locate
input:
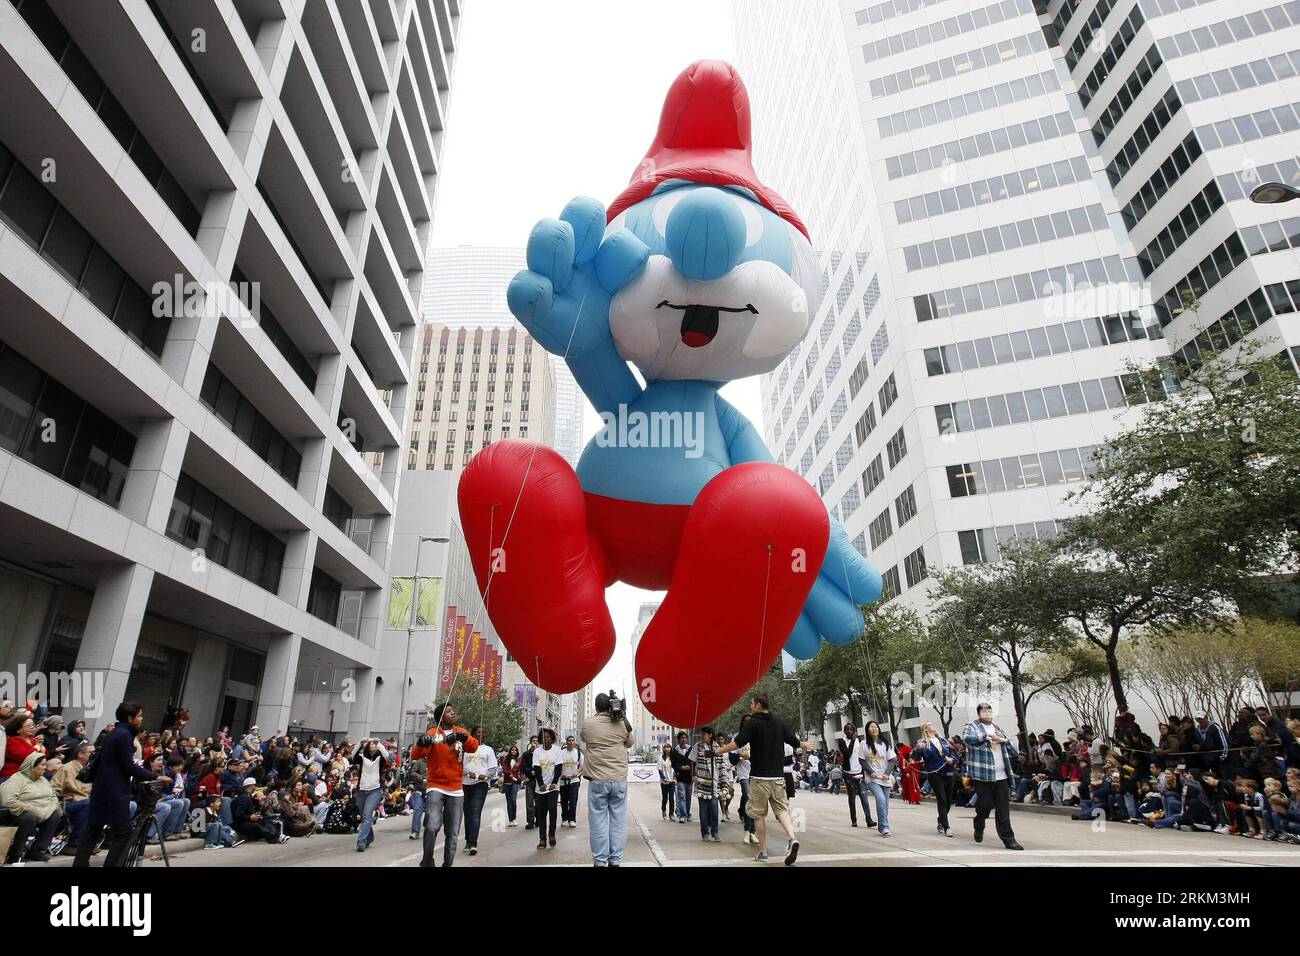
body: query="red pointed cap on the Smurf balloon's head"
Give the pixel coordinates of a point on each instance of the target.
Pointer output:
(704, 137)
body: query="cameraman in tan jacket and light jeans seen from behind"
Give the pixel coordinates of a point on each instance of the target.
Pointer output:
(608, 736)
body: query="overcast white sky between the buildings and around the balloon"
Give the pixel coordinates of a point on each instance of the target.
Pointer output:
(561, 98)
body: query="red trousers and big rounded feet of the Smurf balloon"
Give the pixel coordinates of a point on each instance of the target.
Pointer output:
(738, 566)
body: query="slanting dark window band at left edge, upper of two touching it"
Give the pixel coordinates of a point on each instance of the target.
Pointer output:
(47, 227)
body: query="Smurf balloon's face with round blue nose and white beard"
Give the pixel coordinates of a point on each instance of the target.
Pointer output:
(729, 289)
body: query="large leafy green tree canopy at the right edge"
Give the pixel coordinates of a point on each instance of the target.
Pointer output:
(1211, 474)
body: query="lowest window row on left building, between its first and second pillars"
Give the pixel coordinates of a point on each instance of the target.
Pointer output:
(200, 520)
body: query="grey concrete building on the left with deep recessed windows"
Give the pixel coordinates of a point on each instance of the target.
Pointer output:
(214, 226)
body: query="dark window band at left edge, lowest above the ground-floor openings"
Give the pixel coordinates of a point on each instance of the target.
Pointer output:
(45, 423)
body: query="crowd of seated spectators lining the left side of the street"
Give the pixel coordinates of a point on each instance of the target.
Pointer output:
(224, 790)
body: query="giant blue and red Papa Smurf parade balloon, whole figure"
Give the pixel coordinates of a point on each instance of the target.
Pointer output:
(697, 275)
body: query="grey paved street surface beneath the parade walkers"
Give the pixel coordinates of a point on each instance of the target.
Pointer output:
(1051, 840)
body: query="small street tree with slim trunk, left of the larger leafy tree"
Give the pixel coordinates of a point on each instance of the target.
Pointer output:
(1002, 613)
